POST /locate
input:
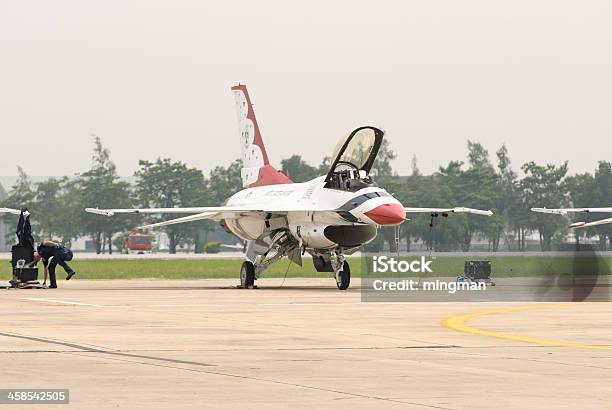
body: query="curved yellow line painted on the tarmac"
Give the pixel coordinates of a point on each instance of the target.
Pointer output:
(459, 323)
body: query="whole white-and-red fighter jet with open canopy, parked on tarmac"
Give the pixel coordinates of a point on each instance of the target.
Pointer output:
(328, 217)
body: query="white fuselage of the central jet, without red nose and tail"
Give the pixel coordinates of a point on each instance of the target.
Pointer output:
(305, 209)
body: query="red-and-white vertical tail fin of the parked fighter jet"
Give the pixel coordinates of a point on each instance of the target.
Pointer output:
(256, 168)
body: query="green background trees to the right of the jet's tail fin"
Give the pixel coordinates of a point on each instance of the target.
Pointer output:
(486, 184)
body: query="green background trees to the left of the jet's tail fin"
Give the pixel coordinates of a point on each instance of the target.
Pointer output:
(58, 204)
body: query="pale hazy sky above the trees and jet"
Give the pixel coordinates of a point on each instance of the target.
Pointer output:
(152, 79)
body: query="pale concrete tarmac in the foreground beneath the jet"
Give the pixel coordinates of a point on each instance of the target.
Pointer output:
(205, 344)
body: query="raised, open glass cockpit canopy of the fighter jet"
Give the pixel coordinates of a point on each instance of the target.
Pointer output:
(353, 159)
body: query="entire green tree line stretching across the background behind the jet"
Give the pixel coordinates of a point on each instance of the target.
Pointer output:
(58, 202)
